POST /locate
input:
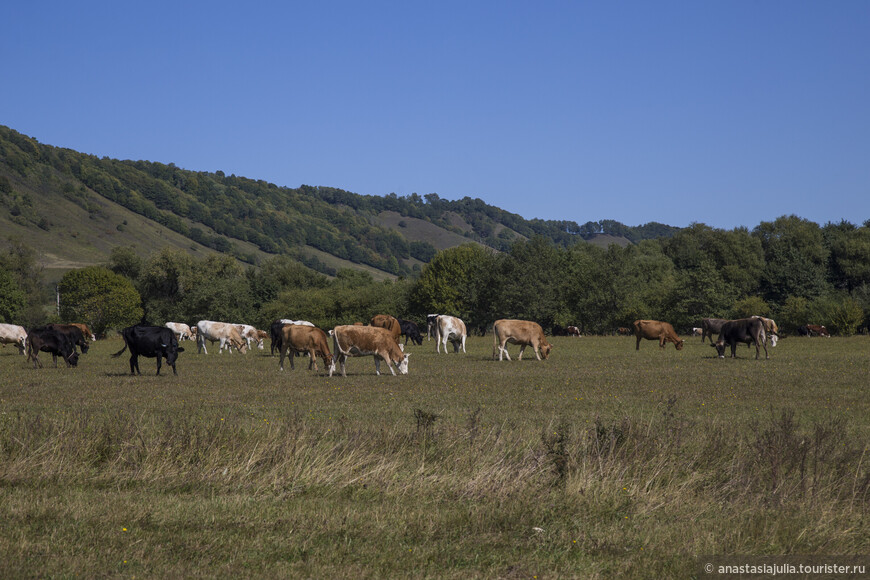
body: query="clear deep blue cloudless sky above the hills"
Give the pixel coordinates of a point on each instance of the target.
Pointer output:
(726, 113)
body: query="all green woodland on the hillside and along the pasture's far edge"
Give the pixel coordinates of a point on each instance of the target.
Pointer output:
(791, 268)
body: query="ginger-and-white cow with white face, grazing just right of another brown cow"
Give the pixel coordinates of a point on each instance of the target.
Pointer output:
(352, 340)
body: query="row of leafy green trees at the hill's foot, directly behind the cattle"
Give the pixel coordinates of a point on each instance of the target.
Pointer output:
(791, 269)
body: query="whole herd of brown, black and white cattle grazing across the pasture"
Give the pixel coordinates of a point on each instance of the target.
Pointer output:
(381, 338)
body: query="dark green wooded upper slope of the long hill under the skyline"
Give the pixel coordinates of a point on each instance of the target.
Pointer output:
(250, 218)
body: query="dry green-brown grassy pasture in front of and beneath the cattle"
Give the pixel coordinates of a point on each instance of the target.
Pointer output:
(601, 462)
